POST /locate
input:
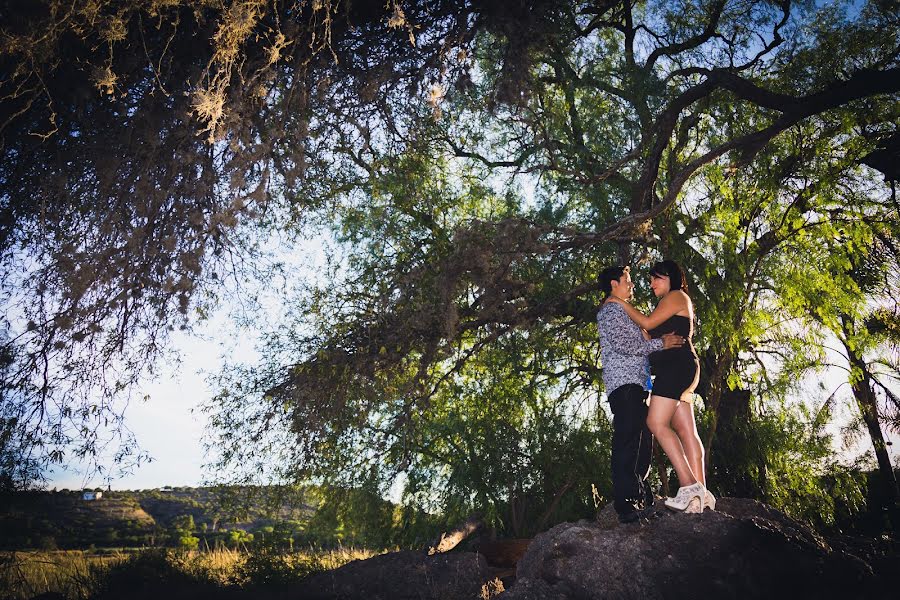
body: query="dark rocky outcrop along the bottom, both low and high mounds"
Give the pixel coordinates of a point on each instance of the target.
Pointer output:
(743, 550)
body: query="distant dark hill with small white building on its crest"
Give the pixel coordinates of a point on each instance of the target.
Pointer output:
(44, 519)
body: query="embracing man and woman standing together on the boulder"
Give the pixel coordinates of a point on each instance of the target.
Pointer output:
(632, 346)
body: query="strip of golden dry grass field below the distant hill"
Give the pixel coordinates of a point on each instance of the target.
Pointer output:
(78, 574)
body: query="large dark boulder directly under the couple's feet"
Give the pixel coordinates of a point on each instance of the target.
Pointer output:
(742, 550)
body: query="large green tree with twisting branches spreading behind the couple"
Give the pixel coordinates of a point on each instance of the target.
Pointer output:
(439, 277)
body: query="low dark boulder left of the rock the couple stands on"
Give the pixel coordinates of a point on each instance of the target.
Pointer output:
(404, 575)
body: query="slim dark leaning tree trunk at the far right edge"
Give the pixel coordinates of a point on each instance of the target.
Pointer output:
(868, 406)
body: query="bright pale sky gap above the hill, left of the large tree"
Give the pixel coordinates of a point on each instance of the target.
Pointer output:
(170, 426)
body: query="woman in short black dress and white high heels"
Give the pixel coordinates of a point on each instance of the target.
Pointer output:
(677, 371)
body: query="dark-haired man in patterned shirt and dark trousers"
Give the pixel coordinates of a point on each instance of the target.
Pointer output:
(626, 374)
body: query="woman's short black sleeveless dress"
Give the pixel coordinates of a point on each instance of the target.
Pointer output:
(677, 370)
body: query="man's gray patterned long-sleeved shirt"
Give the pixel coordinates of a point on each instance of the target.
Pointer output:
(623, 349)
